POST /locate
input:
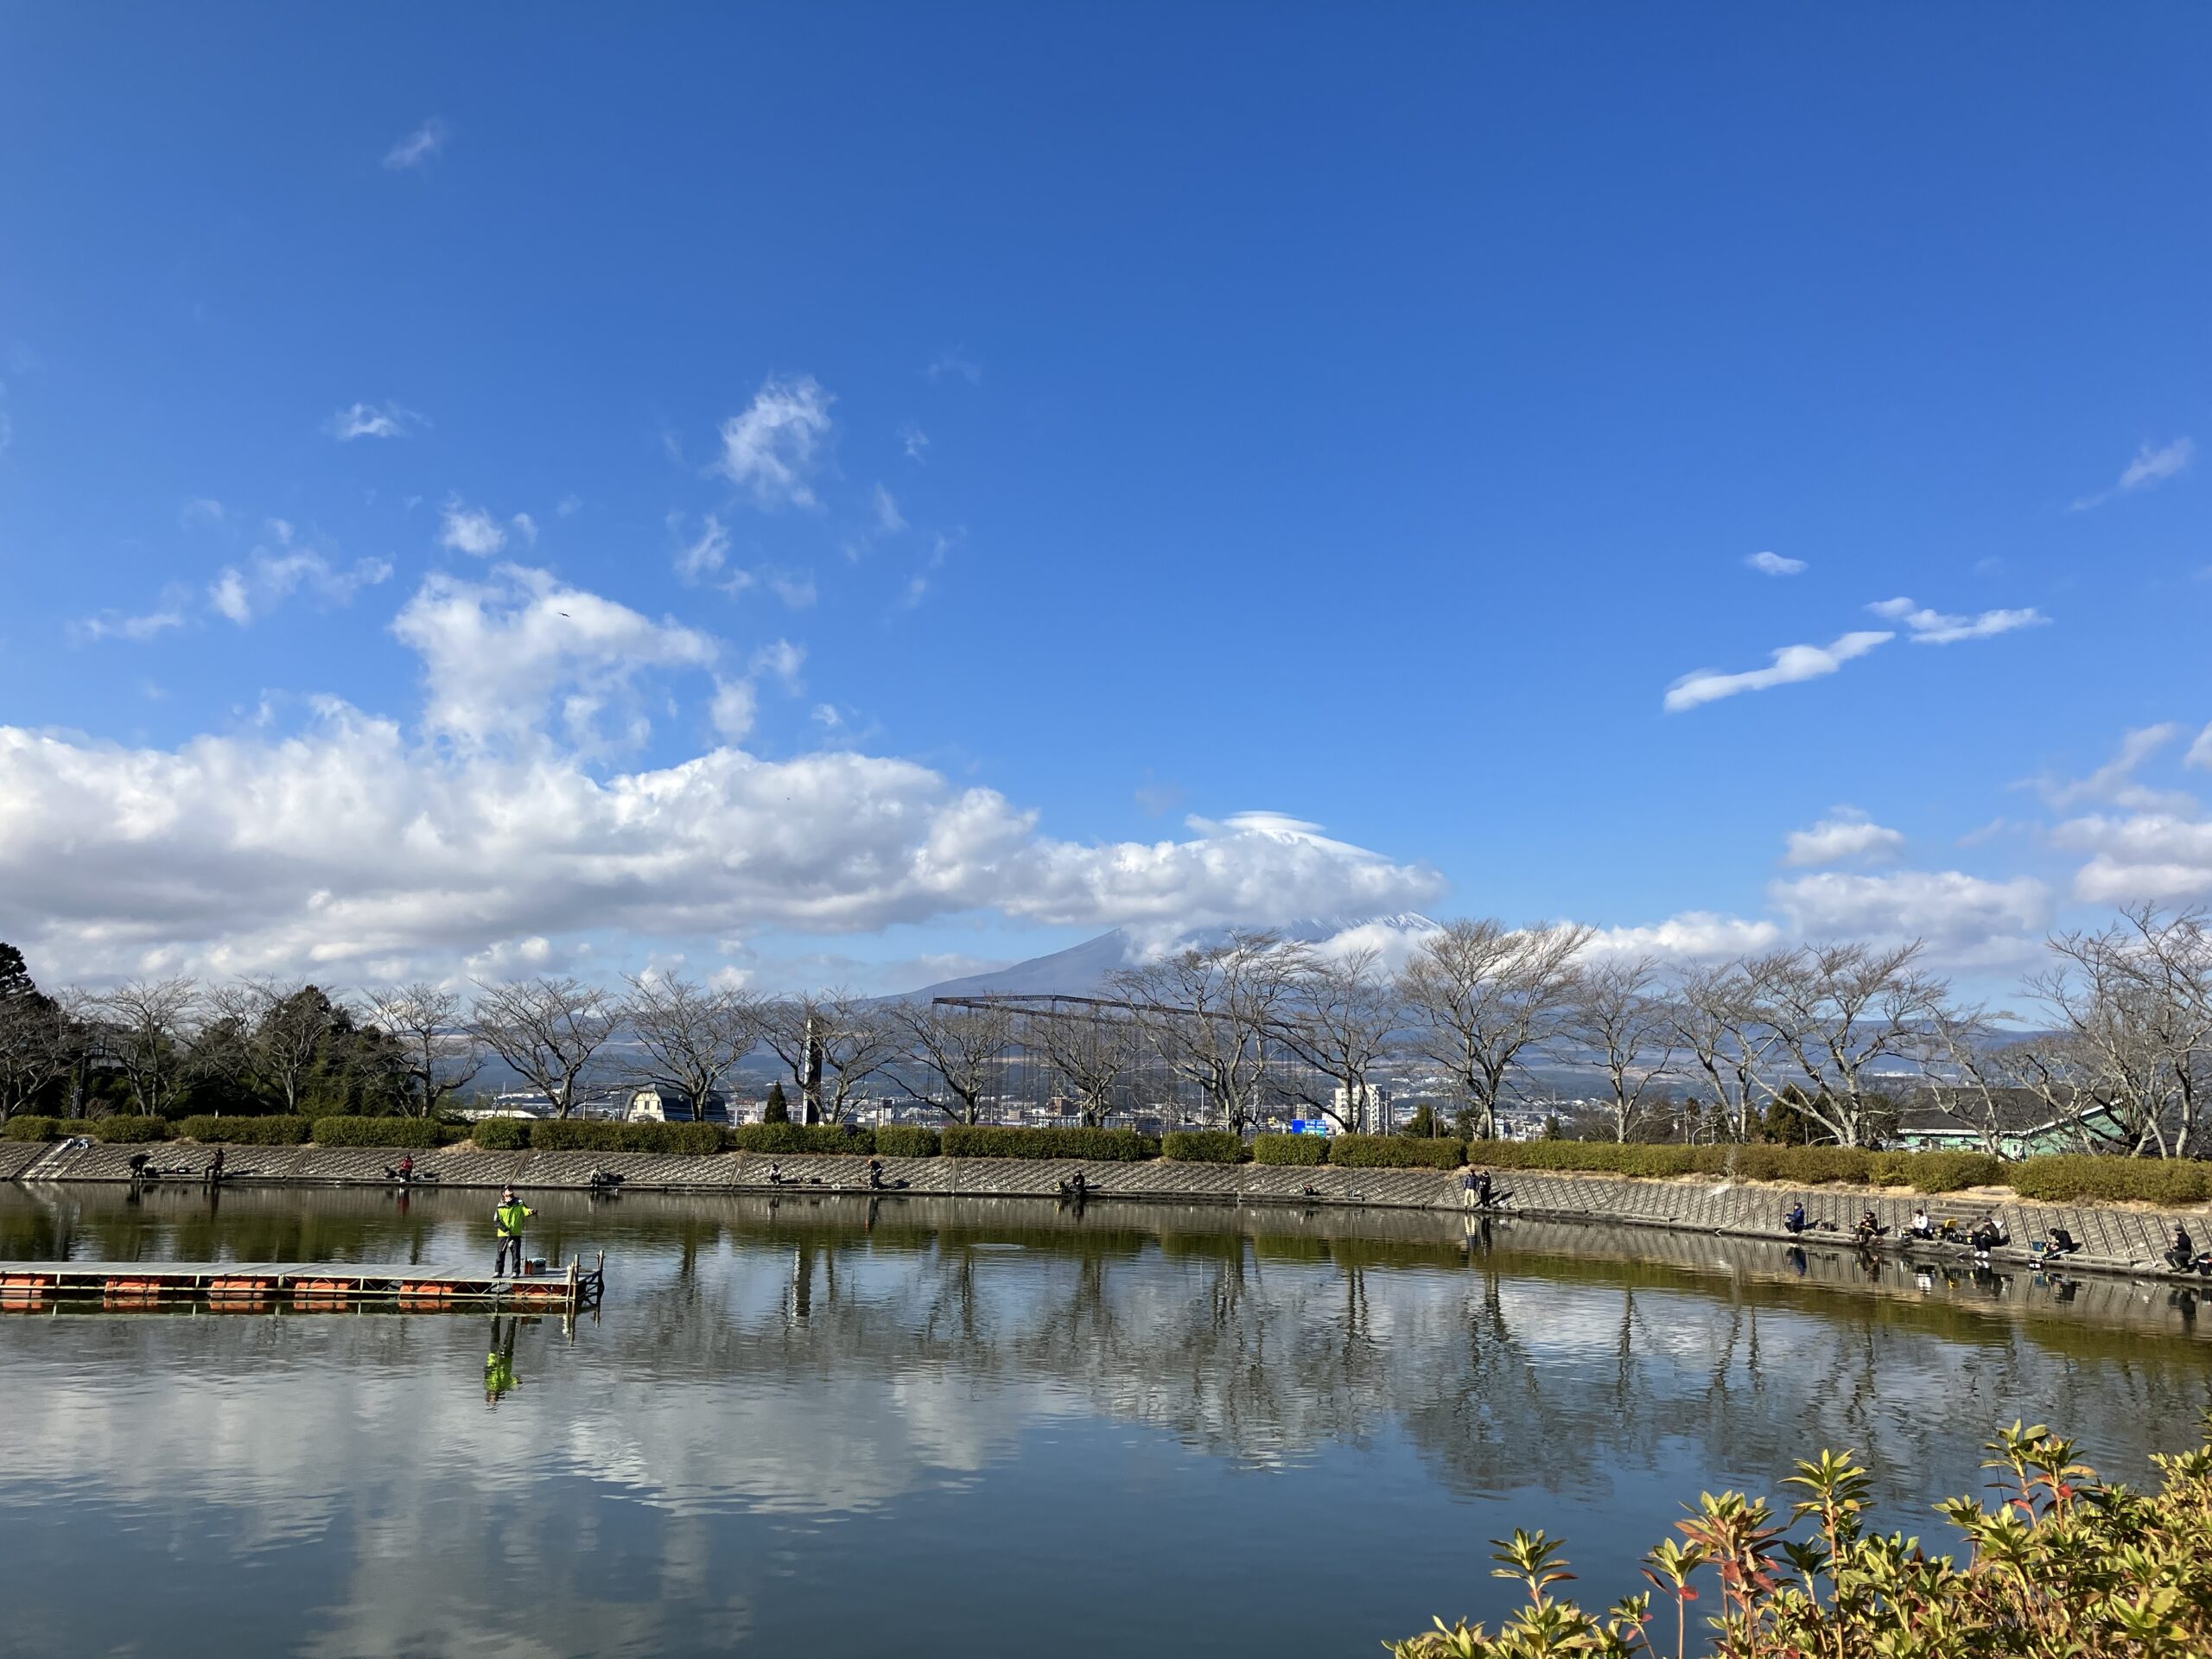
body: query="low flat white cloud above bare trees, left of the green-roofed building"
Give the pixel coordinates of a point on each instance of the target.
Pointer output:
(1963, 917)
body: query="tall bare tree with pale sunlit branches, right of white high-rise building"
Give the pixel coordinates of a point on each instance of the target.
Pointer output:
(1479, 997)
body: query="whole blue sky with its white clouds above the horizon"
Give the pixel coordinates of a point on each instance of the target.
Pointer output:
(1008, 468)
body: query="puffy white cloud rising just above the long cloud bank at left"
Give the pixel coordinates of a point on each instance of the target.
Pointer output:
(501, 656)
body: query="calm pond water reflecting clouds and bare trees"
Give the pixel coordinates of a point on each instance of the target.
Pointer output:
(952, 1428)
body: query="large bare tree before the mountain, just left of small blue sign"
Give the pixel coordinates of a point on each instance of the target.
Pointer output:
(1209, 1012)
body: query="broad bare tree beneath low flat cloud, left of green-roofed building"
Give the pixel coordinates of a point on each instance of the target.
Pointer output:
(1839, 1010)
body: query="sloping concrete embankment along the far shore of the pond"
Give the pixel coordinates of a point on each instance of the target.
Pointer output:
(2114, 1240)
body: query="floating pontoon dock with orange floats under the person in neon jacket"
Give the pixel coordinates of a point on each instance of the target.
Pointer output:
(306, 1286)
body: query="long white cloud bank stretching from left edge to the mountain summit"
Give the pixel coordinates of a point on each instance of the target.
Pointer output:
(348, 844)
